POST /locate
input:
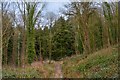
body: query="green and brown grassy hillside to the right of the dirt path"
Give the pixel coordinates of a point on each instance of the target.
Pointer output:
(103, 63)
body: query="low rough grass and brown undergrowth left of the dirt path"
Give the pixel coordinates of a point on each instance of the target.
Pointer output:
(28, 72)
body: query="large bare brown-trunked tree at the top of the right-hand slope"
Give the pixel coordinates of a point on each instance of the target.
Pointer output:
(81, 11)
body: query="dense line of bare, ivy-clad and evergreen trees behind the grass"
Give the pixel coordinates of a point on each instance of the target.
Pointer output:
(87, 29)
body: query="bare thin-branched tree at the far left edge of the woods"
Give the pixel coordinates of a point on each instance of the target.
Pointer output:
(6, 28)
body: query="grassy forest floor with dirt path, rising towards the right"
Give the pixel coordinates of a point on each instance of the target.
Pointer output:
(103, 63)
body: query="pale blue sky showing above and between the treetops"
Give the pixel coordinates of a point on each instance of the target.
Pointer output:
(50, 7)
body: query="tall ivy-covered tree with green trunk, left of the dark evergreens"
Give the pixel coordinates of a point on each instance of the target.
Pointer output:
(31, 18)
